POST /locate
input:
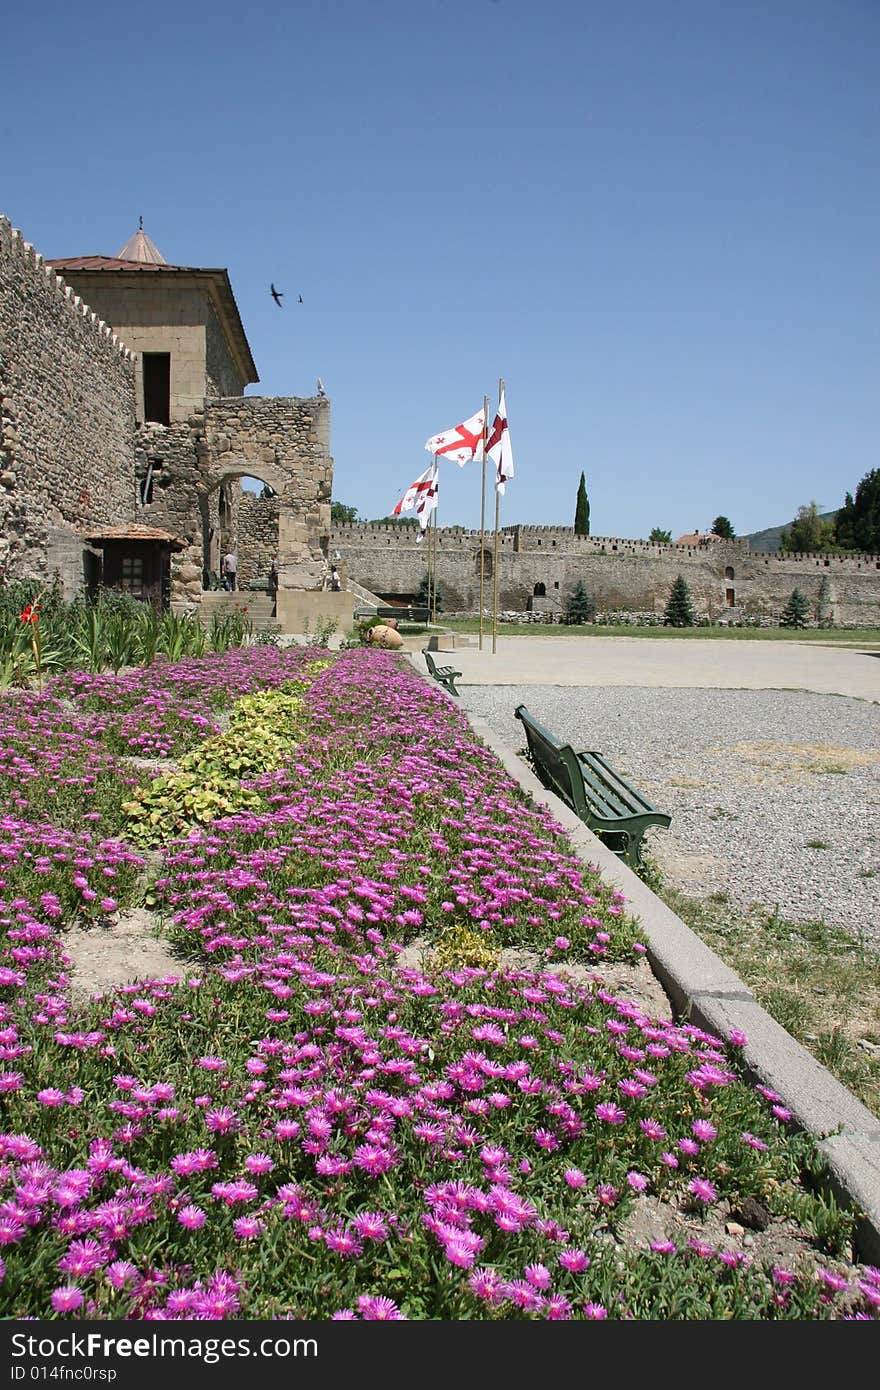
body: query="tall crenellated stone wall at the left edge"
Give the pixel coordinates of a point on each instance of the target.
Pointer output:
(67, 400)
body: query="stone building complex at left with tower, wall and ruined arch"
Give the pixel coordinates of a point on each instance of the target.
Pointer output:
(142, 429)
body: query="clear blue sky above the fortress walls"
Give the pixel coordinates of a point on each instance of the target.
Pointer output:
(658, 220)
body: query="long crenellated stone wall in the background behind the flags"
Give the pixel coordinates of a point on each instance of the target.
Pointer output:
(726, 579)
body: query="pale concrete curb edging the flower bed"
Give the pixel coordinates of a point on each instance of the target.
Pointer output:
(711, 996)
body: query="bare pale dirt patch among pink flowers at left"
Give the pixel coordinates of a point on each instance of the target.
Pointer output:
(123, 950)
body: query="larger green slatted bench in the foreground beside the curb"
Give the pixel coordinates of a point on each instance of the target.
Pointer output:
(594, 792)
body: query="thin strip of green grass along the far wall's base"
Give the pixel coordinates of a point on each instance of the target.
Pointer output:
(857, 637)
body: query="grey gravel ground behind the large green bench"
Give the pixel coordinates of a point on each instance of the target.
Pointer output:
(775, 796)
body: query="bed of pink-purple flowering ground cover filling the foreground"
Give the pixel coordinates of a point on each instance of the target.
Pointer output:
(302, 1124)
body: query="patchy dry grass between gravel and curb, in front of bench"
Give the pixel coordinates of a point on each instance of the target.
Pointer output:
(820, 983)
